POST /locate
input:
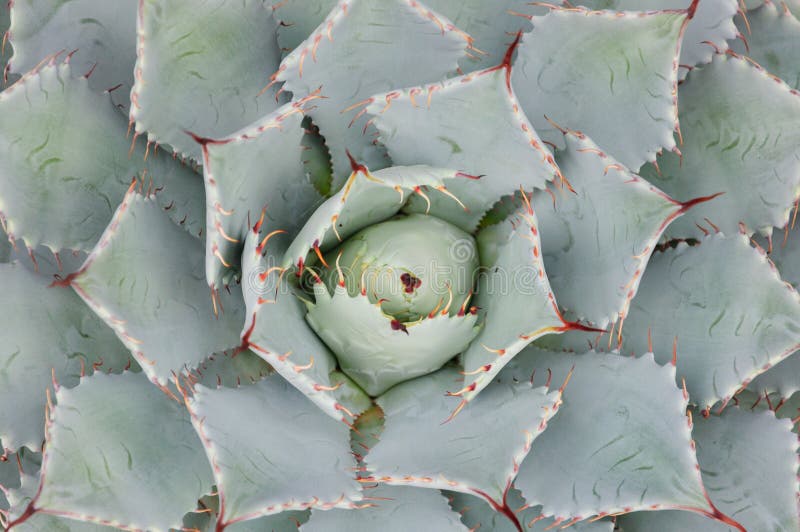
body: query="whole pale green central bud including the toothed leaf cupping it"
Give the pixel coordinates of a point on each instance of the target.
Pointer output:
(393, 303)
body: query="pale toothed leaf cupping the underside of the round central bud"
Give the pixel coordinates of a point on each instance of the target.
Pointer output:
(370, 348)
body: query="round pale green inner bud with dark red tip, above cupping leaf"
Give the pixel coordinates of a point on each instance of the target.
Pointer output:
(414, 266)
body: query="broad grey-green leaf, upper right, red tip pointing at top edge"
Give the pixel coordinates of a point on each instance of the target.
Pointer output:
(626, 65)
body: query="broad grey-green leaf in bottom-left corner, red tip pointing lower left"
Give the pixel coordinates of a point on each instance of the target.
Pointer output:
(142, 470)
